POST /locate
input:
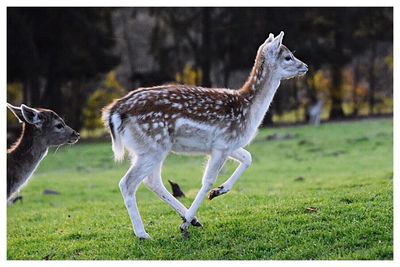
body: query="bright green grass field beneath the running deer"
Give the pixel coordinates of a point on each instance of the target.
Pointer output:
(348, 176)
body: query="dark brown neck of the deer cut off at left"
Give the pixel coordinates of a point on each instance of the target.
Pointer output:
(24, 157)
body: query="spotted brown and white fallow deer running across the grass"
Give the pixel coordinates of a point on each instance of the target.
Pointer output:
(152, 122)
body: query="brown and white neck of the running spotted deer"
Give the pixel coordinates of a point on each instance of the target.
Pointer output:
(259, 90)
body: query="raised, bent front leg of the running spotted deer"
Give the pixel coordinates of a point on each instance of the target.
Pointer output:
(244, 158)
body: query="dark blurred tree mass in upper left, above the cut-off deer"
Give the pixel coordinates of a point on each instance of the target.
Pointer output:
(48, 47)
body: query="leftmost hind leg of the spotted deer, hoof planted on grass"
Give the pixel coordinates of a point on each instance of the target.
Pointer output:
(142, 166)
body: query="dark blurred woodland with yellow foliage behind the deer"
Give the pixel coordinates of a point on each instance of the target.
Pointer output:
(74, 60)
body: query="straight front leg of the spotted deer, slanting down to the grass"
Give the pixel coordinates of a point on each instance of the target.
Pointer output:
(214, 165)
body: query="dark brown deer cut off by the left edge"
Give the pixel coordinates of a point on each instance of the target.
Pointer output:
(41, 129)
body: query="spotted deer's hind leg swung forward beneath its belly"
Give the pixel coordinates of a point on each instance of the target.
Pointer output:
(155, 184)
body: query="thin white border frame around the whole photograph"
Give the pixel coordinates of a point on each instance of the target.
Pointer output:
(396, 148)
